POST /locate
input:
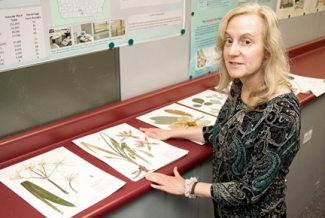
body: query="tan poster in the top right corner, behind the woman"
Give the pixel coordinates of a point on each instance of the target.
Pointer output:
(294, 8)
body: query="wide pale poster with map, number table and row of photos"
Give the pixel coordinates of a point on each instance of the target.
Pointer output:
(35, 31)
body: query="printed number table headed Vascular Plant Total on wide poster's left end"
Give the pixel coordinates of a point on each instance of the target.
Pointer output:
(21, 36)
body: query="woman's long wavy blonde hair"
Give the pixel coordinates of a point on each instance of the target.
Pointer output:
(276, 65)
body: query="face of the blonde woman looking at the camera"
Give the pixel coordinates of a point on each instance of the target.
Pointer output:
(244, 50)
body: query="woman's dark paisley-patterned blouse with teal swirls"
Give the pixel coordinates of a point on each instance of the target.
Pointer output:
(252, 154)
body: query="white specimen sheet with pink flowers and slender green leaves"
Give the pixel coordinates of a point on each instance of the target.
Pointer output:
(128, 150)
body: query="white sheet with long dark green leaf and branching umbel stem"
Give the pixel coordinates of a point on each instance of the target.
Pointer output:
(59, 183)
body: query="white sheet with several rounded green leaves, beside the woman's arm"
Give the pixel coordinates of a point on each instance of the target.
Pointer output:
(208, 101)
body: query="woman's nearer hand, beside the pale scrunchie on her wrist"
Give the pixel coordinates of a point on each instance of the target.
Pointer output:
(171, 184)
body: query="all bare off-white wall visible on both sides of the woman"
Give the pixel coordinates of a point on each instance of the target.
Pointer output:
(153, 65)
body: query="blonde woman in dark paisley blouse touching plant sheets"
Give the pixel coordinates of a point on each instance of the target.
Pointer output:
(257, 132)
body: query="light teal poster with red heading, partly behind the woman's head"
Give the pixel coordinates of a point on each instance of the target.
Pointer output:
(206, 17)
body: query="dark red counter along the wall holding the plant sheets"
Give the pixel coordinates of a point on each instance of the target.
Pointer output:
(306, 60)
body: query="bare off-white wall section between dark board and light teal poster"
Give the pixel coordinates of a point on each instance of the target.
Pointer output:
(153, 65)
